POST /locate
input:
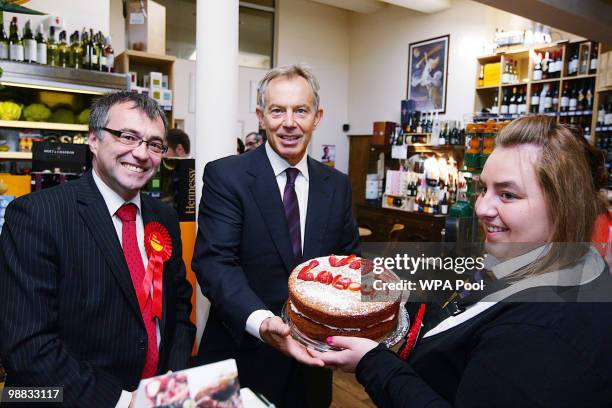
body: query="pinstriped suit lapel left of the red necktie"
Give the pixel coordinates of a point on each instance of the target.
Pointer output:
(94, 213)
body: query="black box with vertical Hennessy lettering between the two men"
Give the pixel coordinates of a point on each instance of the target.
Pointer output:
(178, 186)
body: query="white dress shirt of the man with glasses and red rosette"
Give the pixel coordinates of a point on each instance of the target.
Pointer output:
(113, 202)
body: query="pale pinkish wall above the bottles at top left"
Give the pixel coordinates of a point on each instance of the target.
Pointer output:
(76, 14)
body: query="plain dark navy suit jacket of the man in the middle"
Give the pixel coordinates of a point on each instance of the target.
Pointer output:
(243, 255)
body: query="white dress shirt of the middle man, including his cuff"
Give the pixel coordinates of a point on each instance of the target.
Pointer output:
(279, 165)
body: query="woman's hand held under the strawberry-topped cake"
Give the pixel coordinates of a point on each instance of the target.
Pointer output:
(354, 350)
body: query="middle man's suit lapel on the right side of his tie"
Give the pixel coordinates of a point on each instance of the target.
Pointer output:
(320, 194)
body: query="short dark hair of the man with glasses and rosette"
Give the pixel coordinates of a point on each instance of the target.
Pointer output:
(98, 118)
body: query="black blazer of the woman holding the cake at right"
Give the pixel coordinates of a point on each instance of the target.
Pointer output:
(523, 354)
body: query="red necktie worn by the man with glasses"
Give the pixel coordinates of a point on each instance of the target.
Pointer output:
(127, 215)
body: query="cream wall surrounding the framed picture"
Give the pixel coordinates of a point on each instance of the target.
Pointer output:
(379, 56)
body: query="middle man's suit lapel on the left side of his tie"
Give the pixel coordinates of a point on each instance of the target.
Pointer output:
(264, 188)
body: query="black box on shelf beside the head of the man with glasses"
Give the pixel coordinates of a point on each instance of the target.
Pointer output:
(60, 157)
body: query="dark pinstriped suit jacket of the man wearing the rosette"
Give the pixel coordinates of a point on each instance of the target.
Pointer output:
(69, 312)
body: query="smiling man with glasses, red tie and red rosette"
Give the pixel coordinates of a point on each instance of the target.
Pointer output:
(79, 306)
